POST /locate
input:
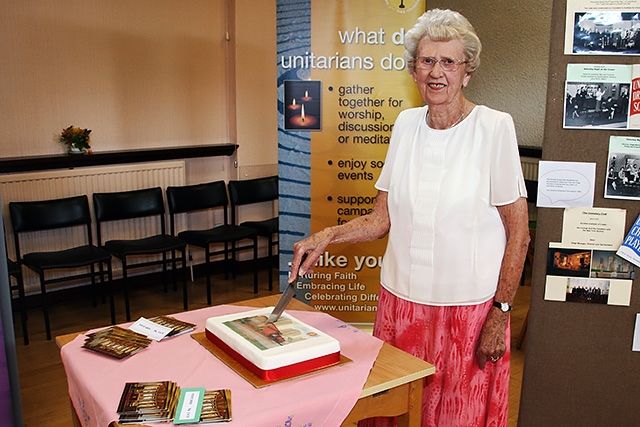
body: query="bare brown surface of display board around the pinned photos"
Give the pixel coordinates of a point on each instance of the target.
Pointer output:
(579, 367)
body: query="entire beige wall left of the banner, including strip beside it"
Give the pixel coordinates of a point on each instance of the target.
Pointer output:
(144, 73)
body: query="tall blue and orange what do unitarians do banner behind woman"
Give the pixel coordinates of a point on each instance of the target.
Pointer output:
(342, 81)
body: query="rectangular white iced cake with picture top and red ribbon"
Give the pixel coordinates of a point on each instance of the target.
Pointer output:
(272, 352)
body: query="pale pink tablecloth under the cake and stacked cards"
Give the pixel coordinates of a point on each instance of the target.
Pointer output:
(321, 399)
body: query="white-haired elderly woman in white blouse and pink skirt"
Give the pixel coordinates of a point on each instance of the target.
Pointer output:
(452, 198)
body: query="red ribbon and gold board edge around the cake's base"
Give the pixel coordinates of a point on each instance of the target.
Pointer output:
(258, 377)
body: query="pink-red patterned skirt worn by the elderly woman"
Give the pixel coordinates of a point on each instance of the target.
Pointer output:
(459, 394)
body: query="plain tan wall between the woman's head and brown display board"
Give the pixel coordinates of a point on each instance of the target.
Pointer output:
(514, 62)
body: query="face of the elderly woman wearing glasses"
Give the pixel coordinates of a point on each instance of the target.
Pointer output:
(439, 87)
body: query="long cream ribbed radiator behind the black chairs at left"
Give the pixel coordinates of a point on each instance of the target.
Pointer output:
(73, 182)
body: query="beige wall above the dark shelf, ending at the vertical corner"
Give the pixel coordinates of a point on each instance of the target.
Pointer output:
(140, 74)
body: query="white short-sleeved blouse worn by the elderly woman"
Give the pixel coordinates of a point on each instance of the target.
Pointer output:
(446, 240)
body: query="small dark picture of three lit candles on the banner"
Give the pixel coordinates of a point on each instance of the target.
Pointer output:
(303, 114)
